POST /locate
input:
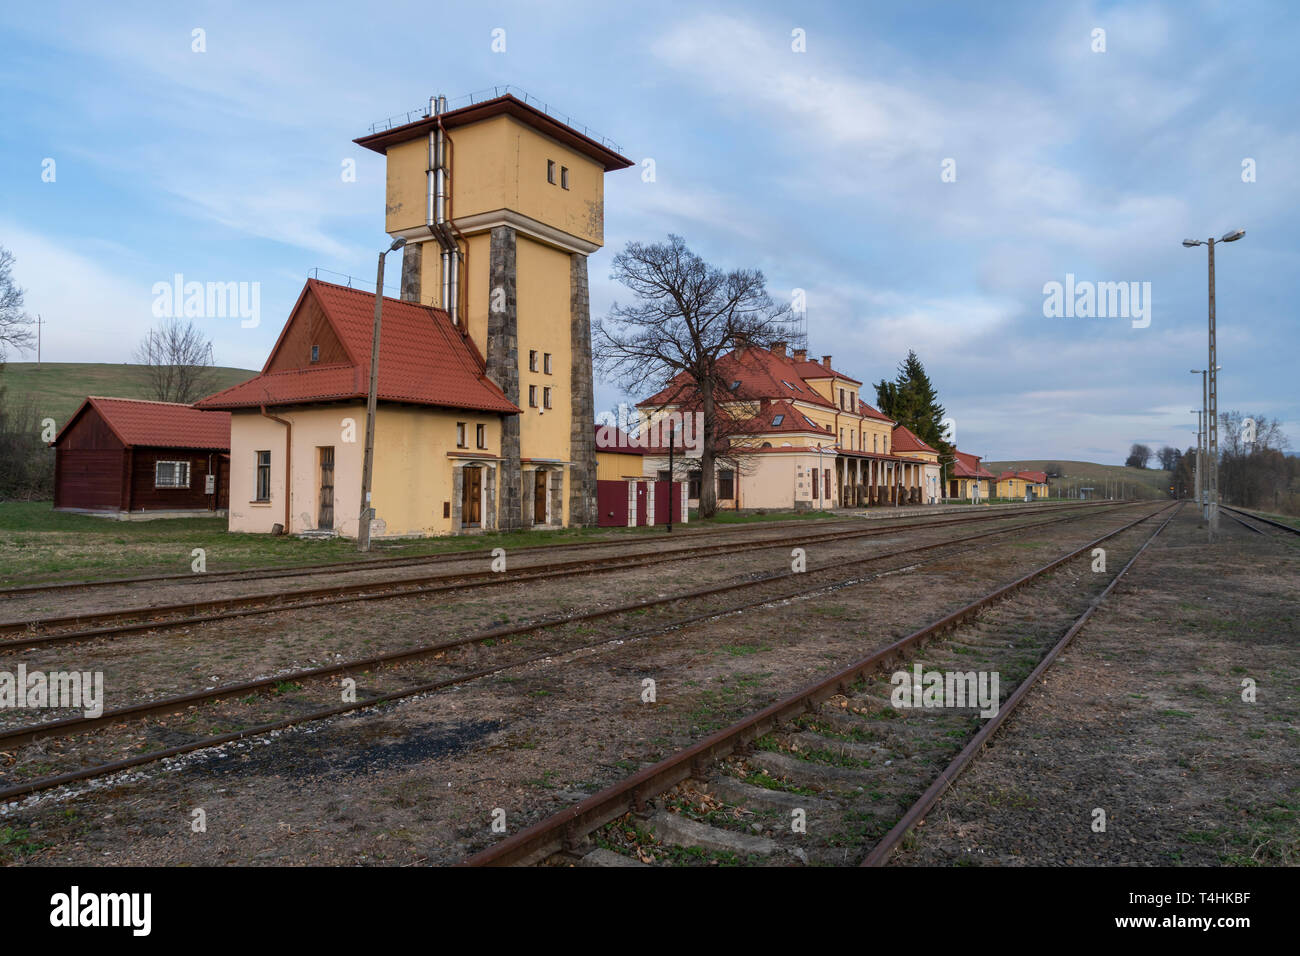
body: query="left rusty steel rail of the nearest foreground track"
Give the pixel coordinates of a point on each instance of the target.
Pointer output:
(565, 829)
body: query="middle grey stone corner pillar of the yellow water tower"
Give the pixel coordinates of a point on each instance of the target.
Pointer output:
(504, 369)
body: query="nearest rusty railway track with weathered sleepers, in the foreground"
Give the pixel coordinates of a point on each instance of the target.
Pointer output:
(814, 756)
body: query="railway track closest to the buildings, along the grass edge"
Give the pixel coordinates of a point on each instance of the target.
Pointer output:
(391, 563)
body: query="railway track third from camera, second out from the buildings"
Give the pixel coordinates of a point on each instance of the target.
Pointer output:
(54, 630)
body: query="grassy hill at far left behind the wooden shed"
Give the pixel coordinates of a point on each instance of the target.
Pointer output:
(60, 388)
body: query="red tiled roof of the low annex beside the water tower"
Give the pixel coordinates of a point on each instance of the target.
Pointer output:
(423, 360)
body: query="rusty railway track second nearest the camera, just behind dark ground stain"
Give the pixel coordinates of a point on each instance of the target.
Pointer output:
(764, 591)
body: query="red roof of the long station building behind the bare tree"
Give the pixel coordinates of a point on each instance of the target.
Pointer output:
(760, 374)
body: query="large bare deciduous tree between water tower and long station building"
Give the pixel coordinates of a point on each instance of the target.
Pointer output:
(687, 315)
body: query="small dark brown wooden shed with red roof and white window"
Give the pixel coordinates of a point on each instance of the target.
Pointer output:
(131, 456)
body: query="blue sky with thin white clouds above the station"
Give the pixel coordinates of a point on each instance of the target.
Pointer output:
(824, 168)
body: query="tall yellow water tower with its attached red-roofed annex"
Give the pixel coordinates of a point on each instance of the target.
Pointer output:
(486, 396)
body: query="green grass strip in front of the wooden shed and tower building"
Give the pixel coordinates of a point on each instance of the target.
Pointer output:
(40, 544)
